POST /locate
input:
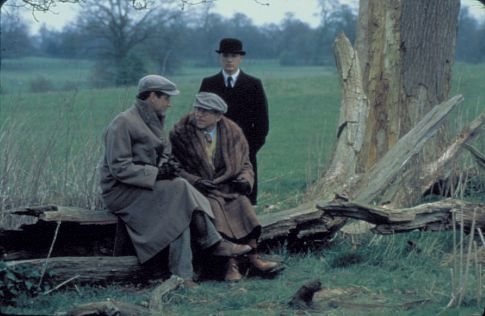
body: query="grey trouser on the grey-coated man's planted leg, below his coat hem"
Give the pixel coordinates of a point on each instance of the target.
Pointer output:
(180, 256)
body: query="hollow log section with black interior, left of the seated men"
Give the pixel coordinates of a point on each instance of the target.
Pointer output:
(28, 232)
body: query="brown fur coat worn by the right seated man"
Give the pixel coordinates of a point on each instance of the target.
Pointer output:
(235, 217)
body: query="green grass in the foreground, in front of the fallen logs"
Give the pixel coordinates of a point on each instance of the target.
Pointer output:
(376, 282)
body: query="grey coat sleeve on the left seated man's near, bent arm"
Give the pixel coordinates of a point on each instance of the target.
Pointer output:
(119, 157)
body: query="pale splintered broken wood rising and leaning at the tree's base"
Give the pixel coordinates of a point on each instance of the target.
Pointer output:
(387, 181)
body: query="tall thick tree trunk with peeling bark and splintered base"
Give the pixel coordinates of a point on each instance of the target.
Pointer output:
(400, 70)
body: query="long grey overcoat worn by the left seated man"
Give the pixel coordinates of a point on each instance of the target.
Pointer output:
(155, 212)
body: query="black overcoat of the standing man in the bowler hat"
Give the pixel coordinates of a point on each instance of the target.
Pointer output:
(248, 107)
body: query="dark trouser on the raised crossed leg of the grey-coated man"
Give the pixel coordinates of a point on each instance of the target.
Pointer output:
(203, 230)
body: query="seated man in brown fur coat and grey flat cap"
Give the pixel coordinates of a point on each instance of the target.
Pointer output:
(214, 157)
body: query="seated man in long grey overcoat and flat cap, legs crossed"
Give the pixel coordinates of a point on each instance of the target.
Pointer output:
(139, 184)
